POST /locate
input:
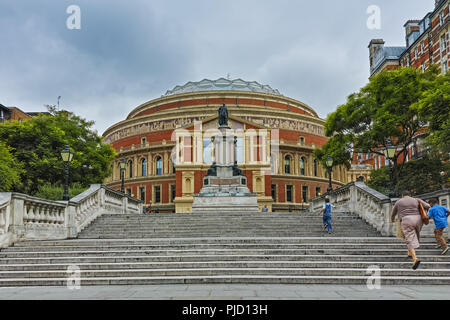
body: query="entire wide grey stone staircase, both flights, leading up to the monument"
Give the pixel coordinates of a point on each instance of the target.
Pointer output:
(287, 248)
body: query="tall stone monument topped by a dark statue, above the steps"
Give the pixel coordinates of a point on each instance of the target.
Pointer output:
(224, 186)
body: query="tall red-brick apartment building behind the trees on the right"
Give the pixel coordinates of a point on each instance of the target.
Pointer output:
(427, 42)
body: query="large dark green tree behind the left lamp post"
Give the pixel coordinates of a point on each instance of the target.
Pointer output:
(37, 144)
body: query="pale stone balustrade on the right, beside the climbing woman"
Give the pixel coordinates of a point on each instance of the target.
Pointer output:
(371, 205)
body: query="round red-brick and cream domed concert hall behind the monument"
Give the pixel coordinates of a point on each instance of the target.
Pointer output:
(166, 146)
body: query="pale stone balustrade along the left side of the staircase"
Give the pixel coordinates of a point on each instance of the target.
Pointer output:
(23, 217)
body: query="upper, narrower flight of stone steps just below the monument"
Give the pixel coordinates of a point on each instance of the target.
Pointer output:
(216, 224)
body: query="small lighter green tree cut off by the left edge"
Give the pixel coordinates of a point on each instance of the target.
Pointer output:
(10, 169)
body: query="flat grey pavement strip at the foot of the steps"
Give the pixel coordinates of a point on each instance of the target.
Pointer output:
(227, 292)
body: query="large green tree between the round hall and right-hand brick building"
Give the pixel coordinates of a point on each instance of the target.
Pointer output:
(384, 108)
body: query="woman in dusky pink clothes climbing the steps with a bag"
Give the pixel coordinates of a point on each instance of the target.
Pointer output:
(407, 210)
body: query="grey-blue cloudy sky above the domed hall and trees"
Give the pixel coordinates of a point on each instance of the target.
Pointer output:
(129, 52)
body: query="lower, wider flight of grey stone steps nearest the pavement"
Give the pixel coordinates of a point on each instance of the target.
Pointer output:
(220, 260)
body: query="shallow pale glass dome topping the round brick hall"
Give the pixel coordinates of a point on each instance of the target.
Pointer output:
(223, 84)
